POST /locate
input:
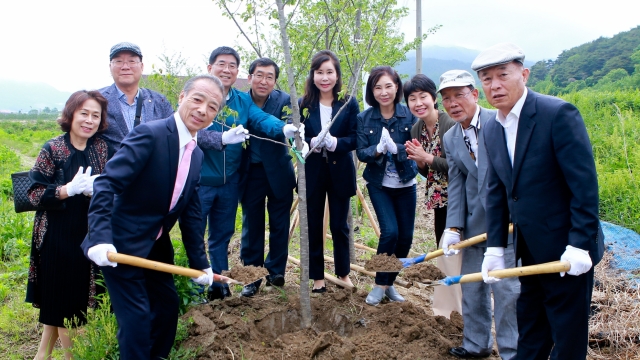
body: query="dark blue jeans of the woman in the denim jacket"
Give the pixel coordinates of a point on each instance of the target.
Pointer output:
(396, 212)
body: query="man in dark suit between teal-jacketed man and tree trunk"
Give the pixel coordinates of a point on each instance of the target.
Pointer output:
(269, 175)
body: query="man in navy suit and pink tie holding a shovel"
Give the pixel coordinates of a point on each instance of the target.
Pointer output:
(149, 183)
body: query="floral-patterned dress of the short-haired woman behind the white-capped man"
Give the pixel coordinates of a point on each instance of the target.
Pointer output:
(436, 181)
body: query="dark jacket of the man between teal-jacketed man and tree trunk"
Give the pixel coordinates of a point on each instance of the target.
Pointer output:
(275, 158)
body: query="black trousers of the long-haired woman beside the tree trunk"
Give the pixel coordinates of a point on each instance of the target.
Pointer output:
(338, 210)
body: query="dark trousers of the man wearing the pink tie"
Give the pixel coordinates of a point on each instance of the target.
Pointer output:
(146, 306)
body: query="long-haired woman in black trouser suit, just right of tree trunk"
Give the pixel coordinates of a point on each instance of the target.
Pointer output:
(330, 172)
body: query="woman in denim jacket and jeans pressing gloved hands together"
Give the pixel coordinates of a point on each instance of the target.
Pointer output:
(390, 174)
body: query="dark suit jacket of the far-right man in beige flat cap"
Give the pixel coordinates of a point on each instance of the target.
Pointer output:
(551, 192)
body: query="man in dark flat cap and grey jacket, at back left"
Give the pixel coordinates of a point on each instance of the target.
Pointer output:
(129, 105)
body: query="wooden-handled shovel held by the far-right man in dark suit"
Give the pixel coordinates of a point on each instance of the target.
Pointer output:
(546, 268)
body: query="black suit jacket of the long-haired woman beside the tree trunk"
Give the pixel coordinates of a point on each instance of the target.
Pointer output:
(343, 173)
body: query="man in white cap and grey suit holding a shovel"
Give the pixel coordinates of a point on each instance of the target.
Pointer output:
(468, 163)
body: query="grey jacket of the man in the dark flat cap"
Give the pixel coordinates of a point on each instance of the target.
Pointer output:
(154, 107)
